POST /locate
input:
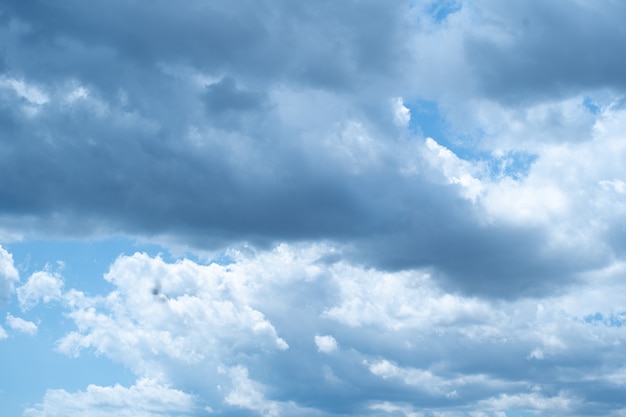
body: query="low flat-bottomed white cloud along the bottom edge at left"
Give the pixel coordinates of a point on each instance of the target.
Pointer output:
(147, 398)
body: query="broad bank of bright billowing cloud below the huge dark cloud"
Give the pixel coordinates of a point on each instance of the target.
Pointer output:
(256, 335)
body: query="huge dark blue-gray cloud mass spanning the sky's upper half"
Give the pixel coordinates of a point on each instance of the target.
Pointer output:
(217, 123)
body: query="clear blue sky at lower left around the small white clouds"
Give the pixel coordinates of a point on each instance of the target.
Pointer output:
(35, 363)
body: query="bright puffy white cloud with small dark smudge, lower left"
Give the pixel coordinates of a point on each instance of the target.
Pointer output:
(196, 317)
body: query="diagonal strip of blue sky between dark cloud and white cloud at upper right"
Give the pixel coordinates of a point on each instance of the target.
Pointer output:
(428, 120)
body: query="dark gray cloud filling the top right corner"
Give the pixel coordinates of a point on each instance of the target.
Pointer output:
(539, 50)
